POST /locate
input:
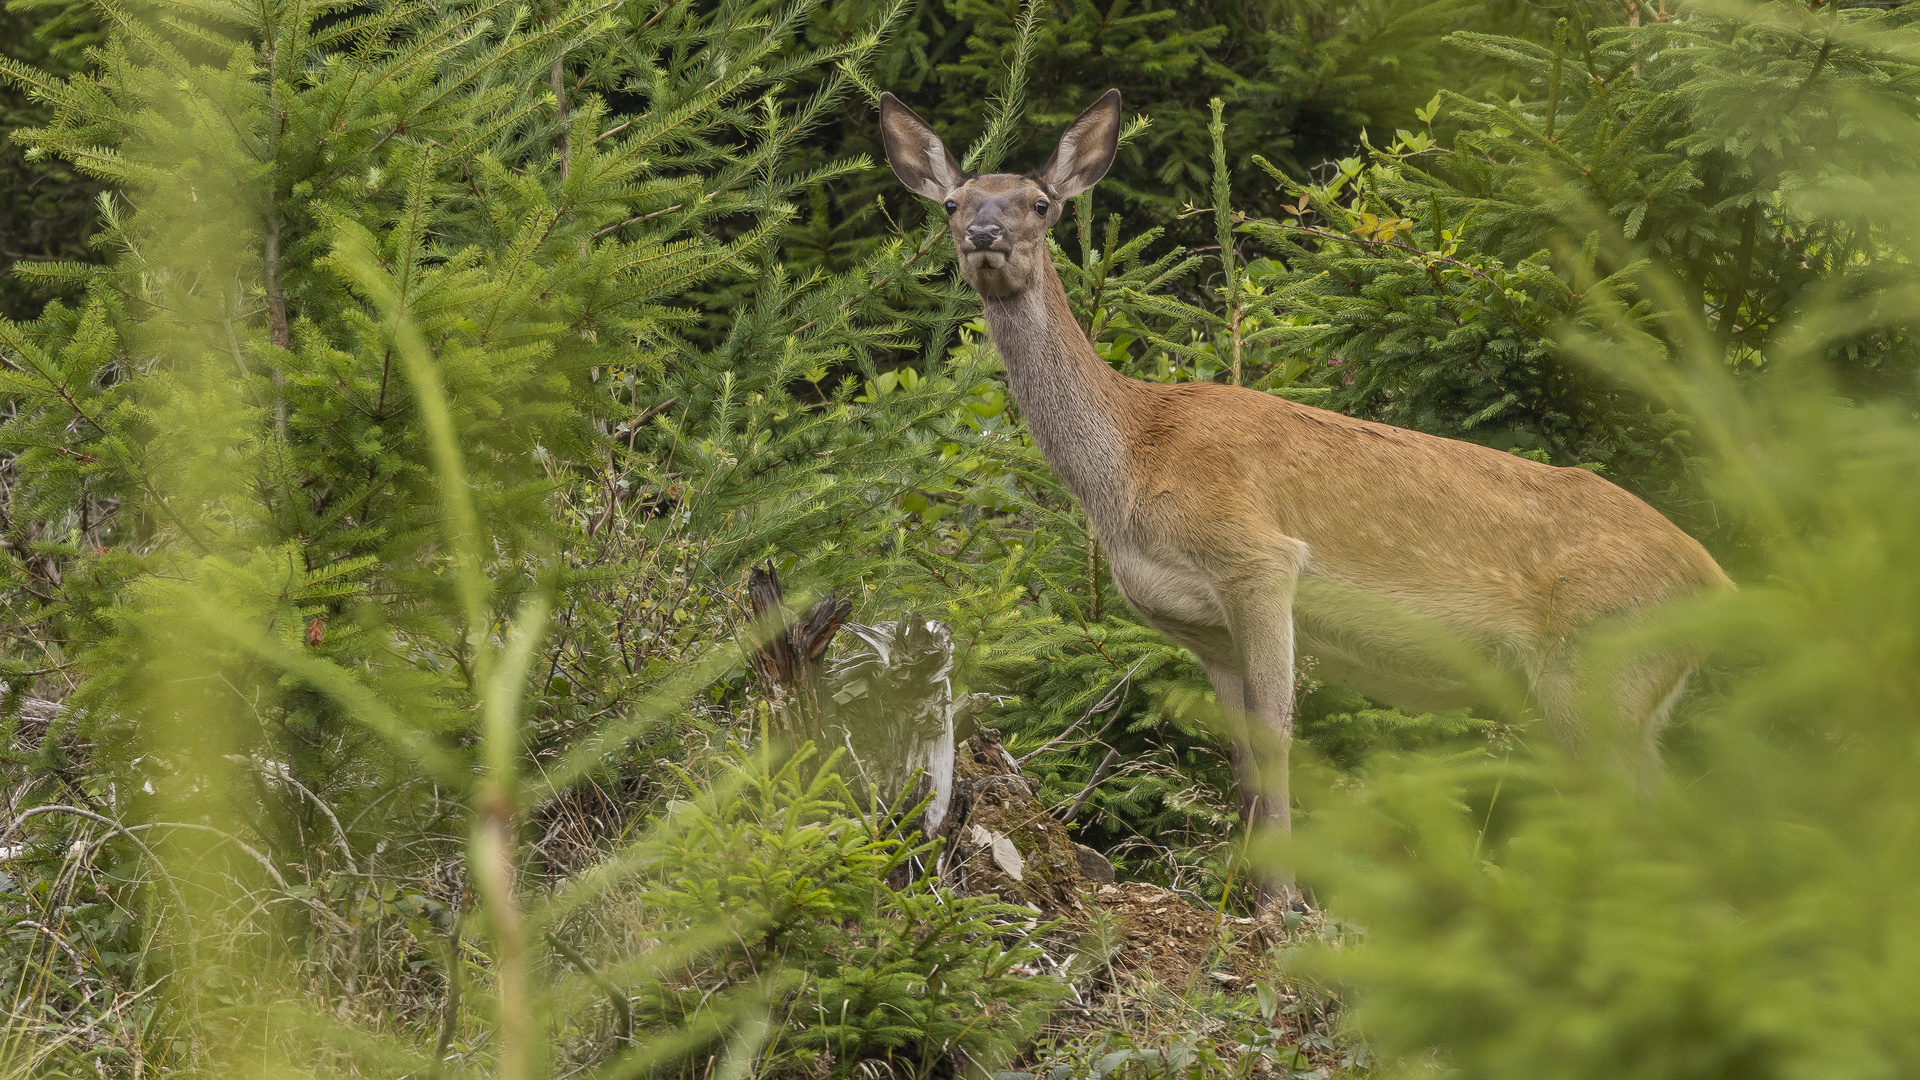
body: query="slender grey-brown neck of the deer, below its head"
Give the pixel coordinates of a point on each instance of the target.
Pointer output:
(1070, 399)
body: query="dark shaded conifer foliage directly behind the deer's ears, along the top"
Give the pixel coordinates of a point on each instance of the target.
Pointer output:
(1303, 80)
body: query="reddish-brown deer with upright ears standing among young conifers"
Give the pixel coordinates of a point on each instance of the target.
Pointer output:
(1262, 533)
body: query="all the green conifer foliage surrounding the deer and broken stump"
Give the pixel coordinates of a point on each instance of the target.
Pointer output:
(377, 512)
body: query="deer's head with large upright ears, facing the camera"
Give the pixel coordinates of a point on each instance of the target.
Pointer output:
(999, 222)
